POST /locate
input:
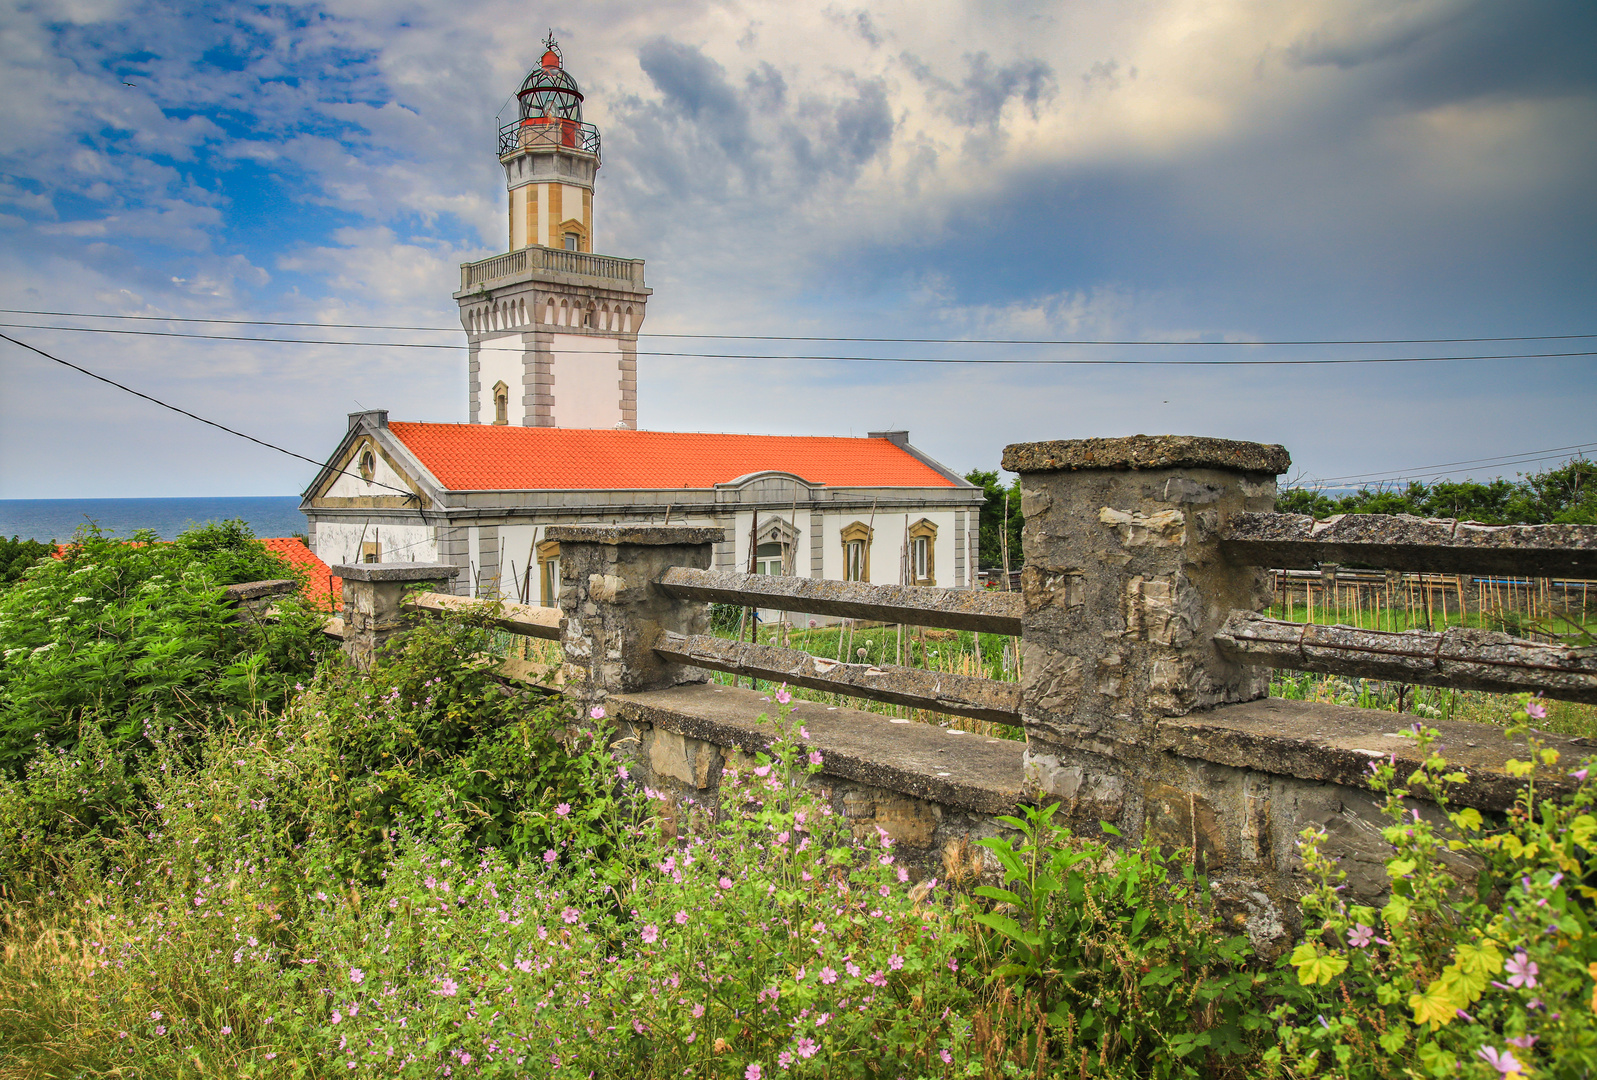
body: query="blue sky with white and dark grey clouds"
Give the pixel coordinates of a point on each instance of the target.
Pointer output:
(1194, 172)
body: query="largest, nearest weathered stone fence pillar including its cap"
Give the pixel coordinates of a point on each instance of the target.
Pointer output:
(1125, 589)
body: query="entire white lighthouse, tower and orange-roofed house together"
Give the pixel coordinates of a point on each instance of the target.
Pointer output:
(553, 405)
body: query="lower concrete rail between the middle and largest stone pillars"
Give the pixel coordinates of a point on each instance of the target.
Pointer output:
(933, 691)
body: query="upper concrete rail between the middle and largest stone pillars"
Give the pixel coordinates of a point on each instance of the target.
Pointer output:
(916, 606)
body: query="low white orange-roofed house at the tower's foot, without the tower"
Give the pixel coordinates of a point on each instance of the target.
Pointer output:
(481, 498)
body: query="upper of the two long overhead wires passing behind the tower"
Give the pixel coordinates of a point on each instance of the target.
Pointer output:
(822, 338)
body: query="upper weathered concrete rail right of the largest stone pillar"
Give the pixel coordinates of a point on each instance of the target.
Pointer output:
(1401, 542)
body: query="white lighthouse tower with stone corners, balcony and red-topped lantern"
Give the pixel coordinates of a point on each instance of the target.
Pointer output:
(552, 327)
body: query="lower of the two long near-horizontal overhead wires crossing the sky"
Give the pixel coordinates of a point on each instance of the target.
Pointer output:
(1013, 362)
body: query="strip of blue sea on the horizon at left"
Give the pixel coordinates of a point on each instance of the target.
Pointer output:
(60, 518)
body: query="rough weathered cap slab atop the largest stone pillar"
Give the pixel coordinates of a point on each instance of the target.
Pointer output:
(1146, 451)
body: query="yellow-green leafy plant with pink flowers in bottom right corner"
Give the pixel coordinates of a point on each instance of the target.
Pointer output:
(1481, 963)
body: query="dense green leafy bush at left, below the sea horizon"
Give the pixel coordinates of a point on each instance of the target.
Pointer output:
(135, 635)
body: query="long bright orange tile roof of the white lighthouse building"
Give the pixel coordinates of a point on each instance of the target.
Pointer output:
(488, 458)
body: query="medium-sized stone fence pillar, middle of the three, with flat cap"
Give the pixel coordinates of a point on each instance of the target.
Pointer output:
(614, 611)
